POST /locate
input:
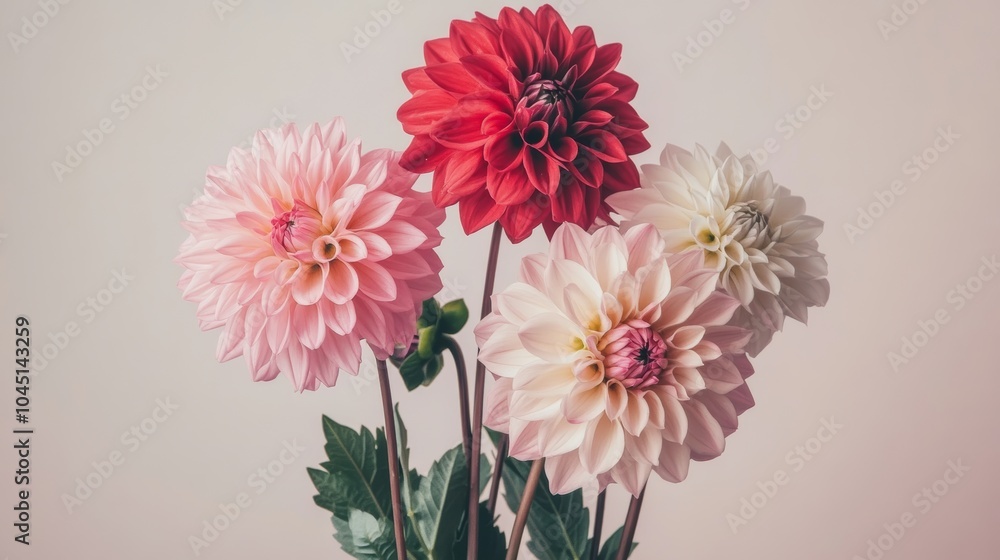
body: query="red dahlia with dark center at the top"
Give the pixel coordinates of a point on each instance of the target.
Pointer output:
(522, 121)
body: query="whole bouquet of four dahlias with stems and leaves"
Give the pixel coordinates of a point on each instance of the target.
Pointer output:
(622, 351)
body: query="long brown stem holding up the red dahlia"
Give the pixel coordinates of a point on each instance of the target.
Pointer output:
(477, 403)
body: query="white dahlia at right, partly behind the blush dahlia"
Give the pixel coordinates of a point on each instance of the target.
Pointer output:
(754, 232)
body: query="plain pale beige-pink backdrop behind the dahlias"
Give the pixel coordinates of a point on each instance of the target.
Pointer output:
(230, 74)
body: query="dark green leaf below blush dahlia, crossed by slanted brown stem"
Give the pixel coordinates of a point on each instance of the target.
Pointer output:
(558, 524)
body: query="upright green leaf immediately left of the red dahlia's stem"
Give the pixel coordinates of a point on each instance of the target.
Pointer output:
(440, 503)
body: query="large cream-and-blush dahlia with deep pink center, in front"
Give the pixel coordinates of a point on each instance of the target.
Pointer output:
(613, 359)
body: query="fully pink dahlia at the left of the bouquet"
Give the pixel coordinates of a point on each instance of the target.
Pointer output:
(304, 246)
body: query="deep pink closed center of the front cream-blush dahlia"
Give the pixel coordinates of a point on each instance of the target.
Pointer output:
(634, 354)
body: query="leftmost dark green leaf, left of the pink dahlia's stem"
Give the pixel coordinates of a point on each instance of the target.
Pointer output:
(354, 478)
